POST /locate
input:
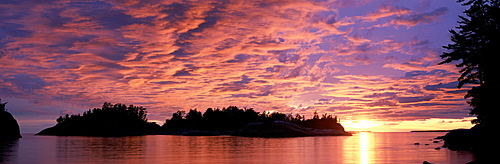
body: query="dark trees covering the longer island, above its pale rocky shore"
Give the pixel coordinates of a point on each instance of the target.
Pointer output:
(233, 118)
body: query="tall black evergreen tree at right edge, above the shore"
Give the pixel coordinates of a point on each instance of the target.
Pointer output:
(475, 46)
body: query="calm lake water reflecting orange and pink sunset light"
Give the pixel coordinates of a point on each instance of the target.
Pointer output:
(361, 148)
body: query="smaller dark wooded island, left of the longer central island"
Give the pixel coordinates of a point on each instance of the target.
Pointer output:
(110, 120)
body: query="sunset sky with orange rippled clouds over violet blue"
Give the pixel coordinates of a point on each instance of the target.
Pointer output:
(373, 63)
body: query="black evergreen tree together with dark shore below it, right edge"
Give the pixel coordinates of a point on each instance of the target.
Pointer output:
(475, 49)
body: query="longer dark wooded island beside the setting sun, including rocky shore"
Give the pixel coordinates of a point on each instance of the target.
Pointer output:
(247, 122)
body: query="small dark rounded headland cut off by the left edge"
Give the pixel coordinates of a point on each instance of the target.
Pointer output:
(9, 129)
